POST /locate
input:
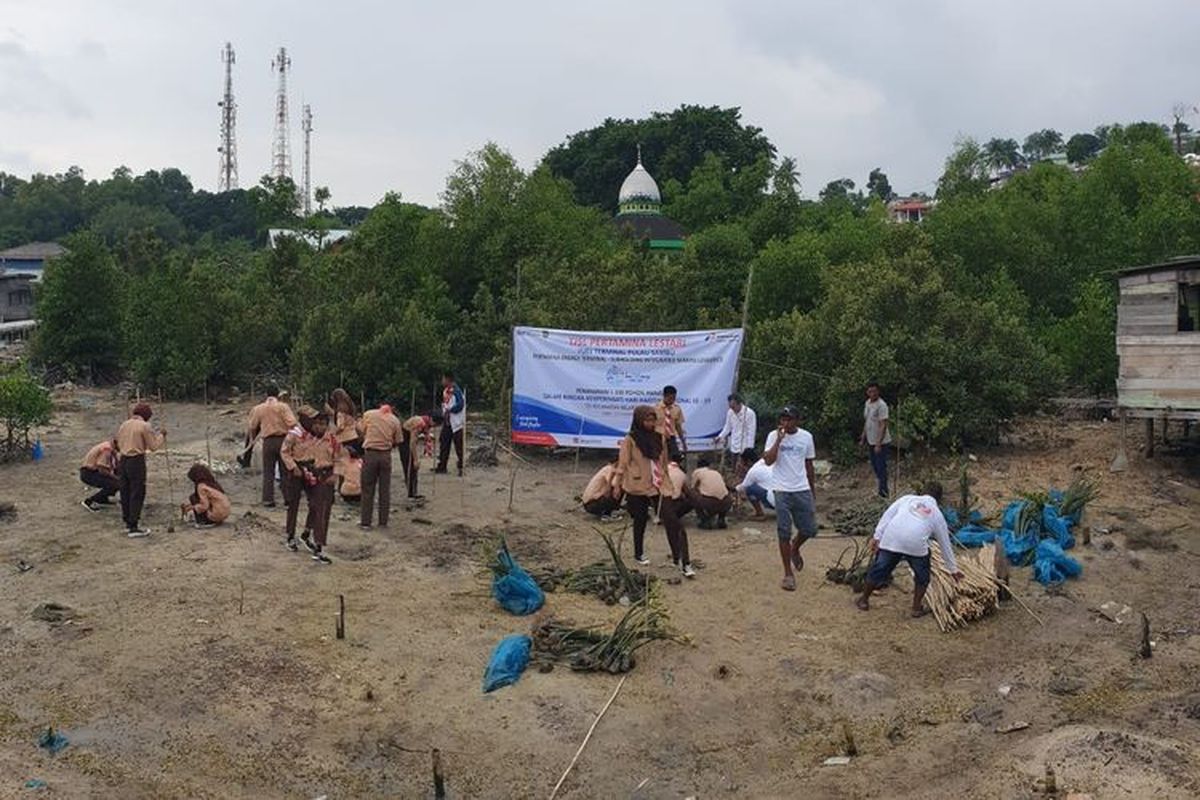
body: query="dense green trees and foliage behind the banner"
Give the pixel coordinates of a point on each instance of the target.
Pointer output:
(1001, 298)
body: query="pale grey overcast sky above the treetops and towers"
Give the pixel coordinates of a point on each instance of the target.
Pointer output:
(401, 91)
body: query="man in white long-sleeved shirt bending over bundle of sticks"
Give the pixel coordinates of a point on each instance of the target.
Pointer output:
(903, 536)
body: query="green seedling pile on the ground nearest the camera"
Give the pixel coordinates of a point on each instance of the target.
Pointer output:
(590, 649)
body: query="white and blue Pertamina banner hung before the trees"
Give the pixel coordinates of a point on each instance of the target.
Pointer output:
(579, 389)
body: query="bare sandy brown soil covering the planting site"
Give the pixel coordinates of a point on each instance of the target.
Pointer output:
(205, 665)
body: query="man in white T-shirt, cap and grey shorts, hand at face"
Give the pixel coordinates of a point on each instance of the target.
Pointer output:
(790, 453)
